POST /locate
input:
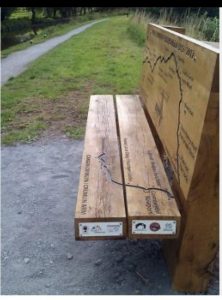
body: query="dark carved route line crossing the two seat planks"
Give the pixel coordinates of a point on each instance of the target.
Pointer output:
(104, 166)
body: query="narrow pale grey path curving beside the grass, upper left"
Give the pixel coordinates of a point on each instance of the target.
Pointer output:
(17, 62)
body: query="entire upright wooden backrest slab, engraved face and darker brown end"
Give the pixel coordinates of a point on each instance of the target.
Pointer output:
(180, 89)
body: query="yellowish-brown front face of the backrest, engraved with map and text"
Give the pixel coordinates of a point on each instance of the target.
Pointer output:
(176, 83)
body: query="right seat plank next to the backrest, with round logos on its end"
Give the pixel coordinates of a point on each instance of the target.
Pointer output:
(149, 197)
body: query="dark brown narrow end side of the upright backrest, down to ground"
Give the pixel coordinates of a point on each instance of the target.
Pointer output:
(199, 238)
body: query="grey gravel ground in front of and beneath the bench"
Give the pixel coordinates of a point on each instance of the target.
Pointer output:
(39, 252)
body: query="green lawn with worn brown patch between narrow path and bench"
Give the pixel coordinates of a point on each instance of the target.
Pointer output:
(53, 94)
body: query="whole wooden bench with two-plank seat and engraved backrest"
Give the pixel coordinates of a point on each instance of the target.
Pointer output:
(124, 190)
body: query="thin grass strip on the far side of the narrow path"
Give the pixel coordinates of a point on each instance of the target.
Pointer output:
(50, 32)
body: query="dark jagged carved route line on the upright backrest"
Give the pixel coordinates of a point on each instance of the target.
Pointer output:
(163, 59)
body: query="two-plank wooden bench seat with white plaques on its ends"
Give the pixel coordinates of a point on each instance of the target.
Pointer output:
(123, 189)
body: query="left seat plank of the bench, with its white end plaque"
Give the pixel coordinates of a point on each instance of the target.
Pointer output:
(100, 201)
